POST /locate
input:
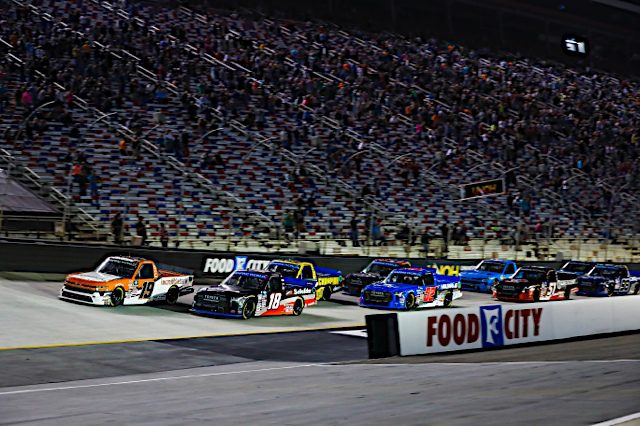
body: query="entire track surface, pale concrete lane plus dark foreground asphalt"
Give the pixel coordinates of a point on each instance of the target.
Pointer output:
(285, 378)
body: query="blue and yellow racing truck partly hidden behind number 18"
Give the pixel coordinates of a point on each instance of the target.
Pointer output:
(324, 280)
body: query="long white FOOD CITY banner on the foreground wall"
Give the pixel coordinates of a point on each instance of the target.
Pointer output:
(494, 326)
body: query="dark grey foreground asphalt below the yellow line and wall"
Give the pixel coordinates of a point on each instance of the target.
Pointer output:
(242, 390)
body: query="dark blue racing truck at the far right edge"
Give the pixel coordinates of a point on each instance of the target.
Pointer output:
(608, 280)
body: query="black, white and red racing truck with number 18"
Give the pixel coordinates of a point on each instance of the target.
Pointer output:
(246, 294)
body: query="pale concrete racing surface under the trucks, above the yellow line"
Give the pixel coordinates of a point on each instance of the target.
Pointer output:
(34, 316)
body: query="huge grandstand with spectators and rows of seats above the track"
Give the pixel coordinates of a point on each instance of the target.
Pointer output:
(219, 125)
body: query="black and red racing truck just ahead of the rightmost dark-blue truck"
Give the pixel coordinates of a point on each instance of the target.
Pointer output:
(531, 284)
